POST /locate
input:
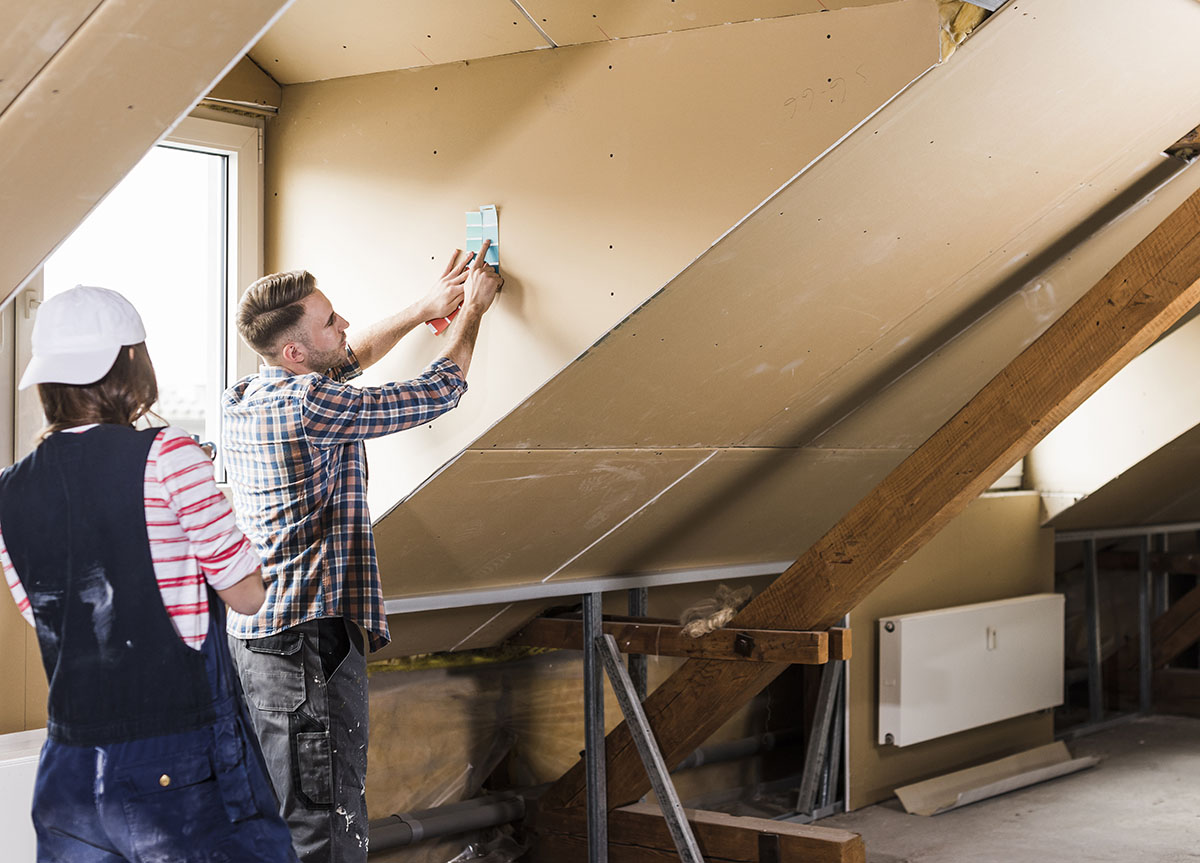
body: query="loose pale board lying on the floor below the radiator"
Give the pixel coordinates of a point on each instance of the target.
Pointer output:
(975, 784)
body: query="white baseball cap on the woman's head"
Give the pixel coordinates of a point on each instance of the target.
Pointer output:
(79, 334)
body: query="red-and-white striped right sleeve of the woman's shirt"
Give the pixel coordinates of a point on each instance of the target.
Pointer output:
(185, 475)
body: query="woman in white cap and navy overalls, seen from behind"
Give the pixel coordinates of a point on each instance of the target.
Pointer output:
(118, 548)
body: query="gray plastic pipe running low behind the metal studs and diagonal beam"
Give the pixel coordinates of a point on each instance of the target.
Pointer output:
(409, 829)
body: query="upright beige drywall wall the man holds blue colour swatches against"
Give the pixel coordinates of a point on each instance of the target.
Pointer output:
(613, 165)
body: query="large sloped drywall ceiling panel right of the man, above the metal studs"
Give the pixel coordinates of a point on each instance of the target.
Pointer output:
(831, 332)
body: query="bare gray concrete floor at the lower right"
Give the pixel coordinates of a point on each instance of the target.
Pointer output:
(1141, 805)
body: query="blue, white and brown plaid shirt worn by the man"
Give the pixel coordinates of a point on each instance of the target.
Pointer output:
(295, 450)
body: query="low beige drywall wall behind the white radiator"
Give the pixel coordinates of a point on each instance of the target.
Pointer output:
(995, 550)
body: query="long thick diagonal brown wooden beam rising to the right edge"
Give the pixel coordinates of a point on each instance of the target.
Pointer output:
(1121, 316)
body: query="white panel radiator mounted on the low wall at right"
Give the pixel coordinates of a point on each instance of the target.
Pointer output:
(956, 669)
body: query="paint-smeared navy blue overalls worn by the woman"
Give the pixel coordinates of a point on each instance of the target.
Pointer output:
(149, 754)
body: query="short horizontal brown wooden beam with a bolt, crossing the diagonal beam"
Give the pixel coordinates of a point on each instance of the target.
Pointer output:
(659, 639)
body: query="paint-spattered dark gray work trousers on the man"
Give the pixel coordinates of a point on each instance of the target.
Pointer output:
(307, 691)
